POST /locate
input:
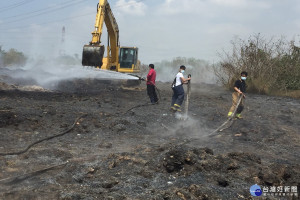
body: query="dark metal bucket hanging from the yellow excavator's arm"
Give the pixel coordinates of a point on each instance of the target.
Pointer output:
(92, 55)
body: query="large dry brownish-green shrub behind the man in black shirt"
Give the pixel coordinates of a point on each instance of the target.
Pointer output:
(272, 65)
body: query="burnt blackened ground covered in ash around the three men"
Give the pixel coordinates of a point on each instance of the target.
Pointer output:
(116, 146)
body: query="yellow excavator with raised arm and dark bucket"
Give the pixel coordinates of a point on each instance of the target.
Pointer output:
(120, 59)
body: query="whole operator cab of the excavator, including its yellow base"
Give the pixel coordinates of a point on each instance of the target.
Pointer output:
(128, 59)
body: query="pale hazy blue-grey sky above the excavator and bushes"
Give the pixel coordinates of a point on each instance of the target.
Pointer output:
(161, 29)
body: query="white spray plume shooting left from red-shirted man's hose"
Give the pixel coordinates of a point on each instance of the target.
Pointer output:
(48, 73)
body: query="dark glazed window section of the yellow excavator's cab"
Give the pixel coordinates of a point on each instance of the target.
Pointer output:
(127, 57)
